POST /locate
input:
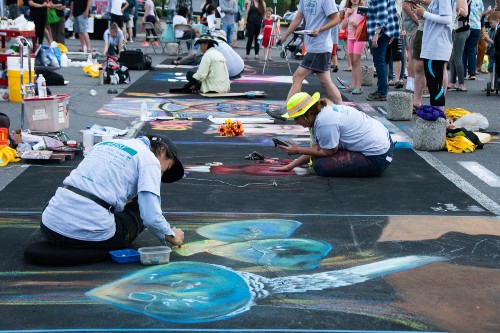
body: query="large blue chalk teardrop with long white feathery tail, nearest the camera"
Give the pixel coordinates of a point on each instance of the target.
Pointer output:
(195, 292)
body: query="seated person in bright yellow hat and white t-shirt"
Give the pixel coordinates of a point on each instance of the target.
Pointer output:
(345, 142)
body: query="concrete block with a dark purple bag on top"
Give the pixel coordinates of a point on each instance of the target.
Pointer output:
(429, 135)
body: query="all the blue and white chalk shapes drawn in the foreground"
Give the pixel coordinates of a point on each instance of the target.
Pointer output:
(193, 292)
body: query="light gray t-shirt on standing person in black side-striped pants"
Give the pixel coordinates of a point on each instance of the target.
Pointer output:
(437, 42)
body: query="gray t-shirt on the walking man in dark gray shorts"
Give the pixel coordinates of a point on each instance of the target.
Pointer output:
(316, 14)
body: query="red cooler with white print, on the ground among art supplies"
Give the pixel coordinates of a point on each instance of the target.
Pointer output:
(48, 114)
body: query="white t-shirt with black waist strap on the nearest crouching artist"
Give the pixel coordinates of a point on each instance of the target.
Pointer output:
(114, 171)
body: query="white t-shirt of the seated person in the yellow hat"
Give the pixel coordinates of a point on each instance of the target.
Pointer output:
(350, 129)
